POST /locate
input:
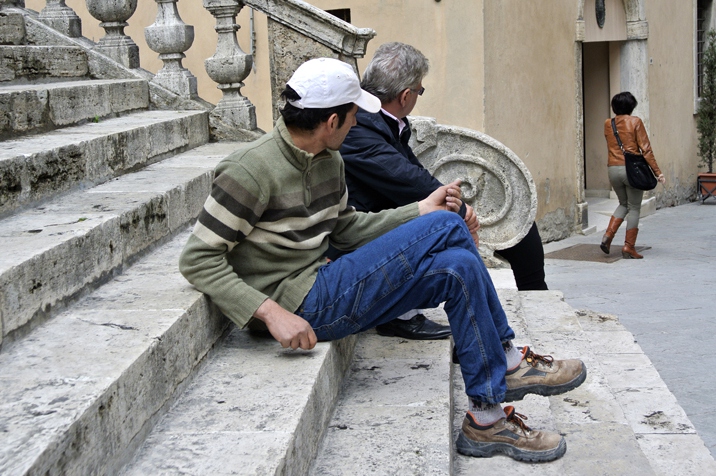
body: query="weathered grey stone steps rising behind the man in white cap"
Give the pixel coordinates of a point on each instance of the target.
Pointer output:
(97, 190)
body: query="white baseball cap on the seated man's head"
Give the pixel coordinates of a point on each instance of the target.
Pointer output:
(328, 82)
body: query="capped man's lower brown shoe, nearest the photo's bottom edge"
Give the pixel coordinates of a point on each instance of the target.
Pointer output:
(511, 437)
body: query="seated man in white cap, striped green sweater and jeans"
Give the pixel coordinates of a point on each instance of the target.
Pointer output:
(258, 250)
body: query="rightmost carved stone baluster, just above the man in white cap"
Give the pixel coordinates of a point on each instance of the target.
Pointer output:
(229, 67)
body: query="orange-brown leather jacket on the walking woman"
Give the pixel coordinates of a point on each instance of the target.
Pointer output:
(634, 138)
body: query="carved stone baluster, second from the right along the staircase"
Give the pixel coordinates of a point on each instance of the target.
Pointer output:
(171, 37)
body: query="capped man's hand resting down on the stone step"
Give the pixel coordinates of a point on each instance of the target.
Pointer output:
(289, 329)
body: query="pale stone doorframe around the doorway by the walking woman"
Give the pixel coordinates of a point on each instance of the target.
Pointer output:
(634, 77)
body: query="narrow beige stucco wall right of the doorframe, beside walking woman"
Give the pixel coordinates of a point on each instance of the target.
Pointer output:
(671, 98)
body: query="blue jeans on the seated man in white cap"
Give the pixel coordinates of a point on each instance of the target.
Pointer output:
(420, 264)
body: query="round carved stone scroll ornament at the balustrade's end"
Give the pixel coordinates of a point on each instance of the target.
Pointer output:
(495, 182)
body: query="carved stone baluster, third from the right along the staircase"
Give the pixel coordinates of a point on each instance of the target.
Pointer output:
(113, 15)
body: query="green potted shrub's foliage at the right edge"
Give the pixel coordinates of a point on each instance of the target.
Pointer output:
(706, 119)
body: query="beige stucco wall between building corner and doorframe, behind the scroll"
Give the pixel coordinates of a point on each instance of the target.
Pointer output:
(530, 83)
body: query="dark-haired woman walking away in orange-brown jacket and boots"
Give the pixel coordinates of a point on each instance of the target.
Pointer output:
(635, 140)
